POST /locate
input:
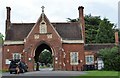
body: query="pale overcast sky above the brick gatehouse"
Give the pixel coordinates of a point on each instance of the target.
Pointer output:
(28, 11)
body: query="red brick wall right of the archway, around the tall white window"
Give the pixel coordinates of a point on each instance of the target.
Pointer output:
(73, 48)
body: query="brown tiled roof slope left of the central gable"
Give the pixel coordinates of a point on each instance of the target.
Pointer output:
(19, 31)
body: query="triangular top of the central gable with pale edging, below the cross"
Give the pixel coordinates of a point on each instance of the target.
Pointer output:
(43, 27)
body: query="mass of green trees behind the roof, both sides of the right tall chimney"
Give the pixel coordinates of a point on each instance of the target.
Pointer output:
(97, 30)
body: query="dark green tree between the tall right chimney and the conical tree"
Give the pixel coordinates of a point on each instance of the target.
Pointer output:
(91, 27)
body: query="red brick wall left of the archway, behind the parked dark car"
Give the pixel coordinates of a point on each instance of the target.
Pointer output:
(8, 50)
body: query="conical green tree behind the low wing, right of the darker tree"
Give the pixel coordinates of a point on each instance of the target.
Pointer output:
(105, 32)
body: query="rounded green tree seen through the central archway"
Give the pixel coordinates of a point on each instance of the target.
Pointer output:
(45, 57)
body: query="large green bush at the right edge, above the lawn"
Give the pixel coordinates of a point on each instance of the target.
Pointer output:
(111, 58)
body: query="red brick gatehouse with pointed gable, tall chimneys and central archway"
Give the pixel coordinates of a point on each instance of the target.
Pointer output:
(65, 41)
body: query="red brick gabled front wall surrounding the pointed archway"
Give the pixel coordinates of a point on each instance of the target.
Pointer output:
(35, 38)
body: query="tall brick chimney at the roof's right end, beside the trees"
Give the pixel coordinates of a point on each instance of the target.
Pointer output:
(81, 21)
